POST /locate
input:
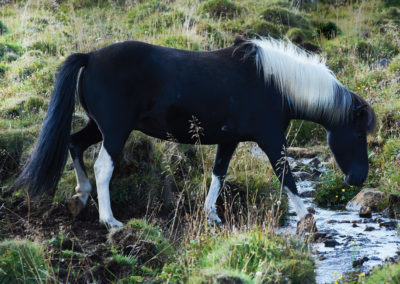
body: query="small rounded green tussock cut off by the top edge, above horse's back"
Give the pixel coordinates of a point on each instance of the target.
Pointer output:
(221, 8)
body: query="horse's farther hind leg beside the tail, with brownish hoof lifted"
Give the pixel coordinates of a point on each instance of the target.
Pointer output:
(80, 141)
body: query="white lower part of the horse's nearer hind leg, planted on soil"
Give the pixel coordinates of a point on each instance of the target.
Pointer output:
(103, 169)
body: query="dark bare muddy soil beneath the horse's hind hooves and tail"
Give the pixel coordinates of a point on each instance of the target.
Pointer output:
(89, 257)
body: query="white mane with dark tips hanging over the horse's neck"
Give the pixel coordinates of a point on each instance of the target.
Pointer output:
(309, 86)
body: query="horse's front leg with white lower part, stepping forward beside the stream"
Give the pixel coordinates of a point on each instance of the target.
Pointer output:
(276, 154)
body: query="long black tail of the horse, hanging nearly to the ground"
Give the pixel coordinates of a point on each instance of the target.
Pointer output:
(46, 163)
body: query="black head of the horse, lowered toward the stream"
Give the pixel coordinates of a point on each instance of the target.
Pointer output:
(349, 142)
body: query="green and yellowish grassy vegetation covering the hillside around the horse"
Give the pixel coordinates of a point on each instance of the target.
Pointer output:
(161, 184)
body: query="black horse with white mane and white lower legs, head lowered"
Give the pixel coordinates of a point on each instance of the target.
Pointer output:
(249, 91)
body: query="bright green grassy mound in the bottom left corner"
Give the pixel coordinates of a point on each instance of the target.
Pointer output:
(23, 262)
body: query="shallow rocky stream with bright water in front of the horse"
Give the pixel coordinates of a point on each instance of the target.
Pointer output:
(367, 242)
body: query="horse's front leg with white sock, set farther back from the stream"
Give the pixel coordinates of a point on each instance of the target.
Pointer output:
(221, 163)
